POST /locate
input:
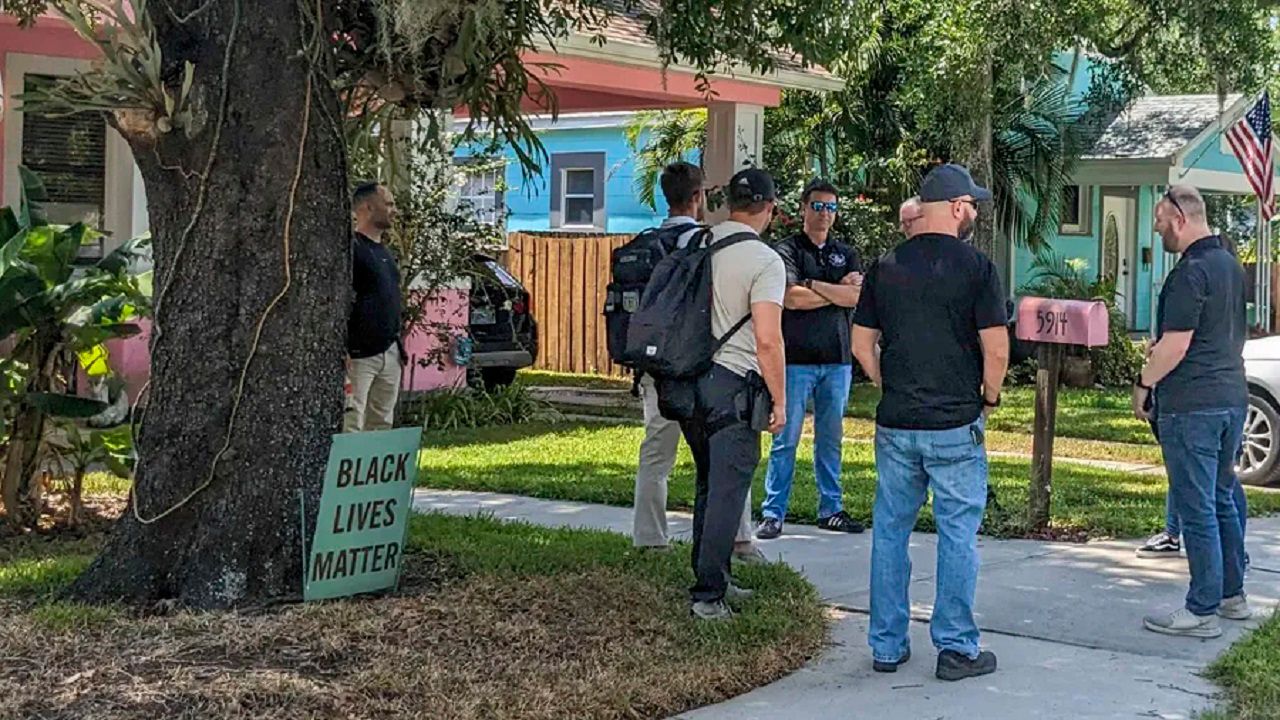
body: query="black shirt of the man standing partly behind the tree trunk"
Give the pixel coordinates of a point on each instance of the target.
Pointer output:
(376, 315)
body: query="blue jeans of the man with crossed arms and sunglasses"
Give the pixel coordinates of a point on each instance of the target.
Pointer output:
(829, 386)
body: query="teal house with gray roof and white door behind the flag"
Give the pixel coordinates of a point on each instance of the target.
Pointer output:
(1108, 216)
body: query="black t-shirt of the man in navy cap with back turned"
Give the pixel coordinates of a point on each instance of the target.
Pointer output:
(930, 298)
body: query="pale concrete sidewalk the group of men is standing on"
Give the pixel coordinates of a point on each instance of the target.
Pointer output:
(1064, 619)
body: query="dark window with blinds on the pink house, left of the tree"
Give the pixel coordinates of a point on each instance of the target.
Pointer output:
(70, 156)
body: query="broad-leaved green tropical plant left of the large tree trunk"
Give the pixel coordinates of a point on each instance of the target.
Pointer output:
(52, 309)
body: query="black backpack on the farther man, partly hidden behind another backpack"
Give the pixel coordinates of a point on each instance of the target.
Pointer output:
(630, 270)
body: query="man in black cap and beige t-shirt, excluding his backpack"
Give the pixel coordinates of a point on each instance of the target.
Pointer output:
(748, 281)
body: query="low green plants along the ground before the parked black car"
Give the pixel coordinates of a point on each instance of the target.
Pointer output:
(469, 408)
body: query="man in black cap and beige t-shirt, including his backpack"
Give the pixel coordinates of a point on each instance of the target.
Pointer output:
(710, 331)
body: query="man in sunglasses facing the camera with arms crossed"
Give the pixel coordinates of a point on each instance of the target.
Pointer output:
(824, 285)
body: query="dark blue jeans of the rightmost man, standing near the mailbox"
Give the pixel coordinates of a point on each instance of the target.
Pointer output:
(1200, 454)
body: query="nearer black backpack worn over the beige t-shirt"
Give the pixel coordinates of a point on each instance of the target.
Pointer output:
(670, 335)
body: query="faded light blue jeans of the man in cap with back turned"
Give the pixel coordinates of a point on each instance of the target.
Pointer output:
(908, 463)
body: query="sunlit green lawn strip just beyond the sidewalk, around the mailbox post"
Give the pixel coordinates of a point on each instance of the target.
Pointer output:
(597, 463)
